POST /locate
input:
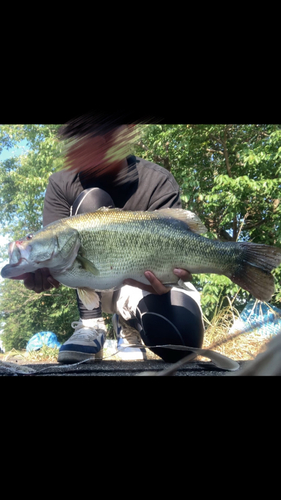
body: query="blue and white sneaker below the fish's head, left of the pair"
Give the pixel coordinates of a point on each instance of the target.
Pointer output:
(86, 342)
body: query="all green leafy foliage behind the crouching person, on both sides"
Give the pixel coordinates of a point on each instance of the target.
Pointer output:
(229, 175)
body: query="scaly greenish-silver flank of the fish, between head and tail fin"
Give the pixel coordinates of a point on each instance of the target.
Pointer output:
(129, 241)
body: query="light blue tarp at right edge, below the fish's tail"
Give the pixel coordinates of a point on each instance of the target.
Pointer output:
(261, 316)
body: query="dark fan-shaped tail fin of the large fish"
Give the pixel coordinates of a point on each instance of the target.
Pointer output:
(254, 272)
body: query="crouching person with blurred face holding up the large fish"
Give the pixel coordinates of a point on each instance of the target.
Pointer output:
(100, 175)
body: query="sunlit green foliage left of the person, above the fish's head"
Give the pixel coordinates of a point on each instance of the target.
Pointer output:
(23, 179)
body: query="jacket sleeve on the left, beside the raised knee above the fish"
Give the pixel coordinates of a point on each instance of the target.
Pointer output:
(55, 204)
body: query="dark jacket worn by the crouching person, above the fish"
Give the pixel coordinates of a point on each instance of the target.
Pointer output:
(149, 187)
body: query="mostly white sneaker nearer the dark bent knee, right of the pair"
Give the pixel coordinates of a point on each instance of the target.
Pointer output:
(127, 335)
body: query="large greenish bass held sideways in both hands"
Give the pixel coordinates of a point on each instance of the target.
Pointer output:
(97, 251)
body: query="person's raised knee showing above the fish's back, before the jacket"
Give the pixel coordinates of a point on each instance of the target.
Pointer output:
(91, 199)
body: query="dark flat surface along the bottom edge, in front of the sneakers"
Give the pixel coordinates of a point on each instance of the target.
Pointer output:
(113, 368)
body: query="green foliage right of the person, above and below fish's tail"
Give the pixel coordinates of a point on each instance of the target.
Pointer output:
(230, 175)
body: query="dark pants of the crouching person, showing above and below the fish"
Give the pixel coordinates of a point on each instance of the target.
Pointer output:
(172, 318)
